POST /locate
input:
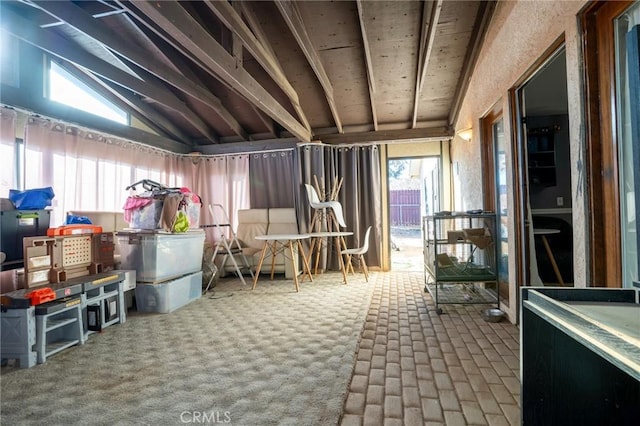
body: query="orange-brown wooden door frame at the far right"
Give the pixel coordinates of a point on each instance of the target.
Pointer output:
(605, 251)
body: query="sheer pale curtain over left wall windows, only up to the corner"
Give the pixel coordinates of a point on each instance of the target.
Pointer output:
(89, 171)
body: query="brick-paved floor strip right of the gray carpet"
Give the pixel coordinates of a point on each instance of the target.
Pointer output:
(415, 367)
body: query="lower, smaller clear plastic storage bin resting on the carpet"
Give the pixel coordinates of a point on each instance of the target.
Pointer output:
(170, 295)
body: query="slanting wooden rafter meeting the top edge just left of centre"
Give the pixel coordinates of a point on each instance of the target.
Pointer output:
(291, 15)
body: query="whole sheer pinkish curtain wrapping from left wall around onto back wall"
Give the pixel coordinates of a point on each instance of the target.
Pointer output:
(90, 171)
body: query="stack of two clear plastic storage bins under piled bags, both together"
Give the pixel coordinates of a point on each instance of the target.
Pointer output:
(168, 267)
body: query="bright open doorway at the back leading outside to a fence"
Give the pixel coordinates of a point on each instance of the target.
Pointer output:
(414, 192)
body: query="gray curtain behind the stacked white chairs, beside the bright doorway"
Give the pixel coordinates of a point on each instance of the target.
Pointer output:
(360, 193)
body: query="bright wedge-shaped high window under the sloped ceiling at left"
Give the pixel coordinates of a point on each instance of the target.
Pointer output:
(66, 89)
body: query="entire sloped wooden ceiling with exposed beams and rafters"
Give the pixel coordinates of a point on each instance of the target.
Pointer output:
(222, 73)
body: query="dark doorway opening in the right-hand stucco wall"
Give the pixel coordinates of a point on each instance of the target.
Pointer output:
(546, 163)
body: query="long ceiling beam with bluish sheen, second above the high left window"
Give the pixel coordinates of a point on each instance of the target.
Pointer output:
(76, 17)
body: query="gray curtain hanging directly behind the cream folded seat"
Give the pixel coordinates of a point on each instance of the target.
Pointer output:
(272, 177)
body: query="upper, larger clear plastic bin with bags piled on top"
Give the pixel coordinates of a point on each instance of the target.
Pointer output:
(158, 257)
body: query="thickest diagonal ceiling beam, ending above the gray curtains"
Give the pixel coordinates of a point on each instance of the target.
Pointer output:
(187, 35)
